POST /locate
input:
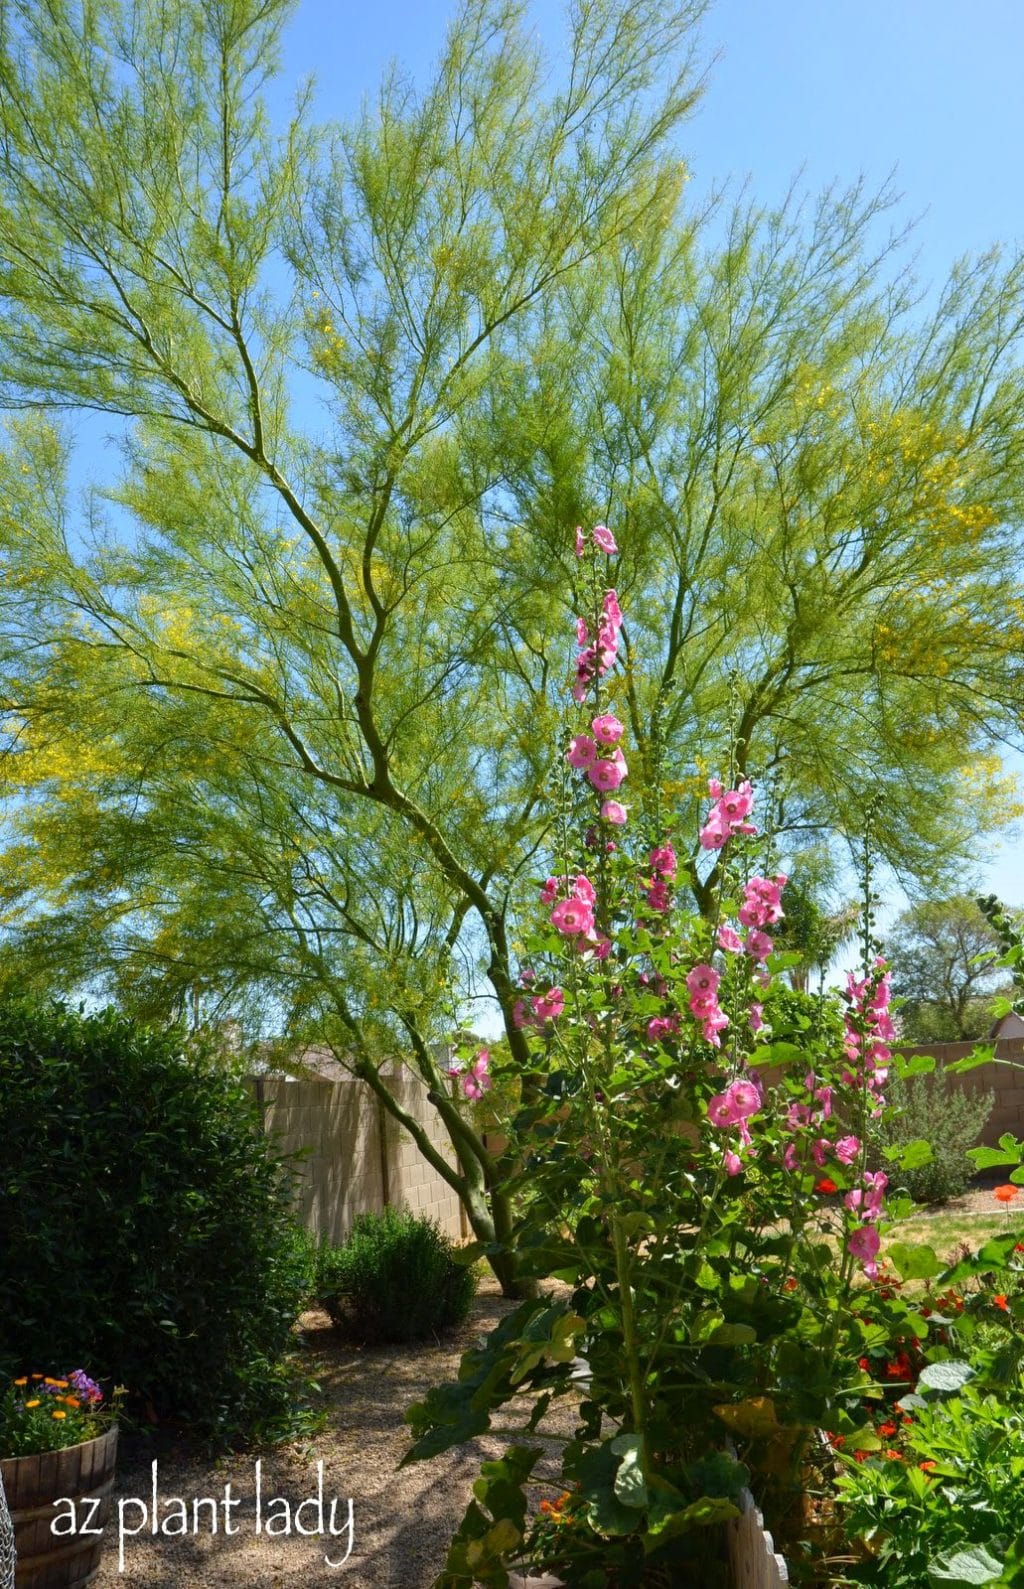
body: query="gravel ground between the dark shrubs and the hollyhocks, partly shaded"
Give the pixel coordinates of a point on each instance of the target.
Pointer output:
(401, 1521)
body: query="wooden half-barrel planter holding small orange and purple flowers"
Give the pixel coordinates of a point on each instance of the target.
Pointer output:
(60, 1561)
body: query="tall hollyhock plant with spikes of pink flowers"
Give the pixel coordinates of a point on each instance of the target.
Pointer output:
(675, 1156)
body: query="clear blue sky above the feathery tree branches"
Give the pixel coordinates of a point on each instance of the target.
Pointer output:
(926, 90)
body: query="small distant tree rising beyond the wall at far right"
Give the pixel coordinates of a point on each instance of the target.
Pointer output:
(944, 957)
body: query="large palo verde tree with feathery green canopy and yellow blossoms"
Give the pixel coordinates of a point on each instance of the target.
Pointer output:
(279, 698)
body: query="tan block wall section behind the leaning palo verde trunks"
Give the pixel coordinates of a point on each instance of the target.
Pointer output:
(357, 1158)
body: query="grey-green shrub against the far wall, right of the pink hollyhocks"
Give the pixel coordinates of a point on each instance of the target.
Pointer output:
(945, 1115)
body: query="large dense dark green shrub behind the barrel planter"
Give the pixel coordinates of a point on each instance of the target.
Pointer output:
(145, 1218)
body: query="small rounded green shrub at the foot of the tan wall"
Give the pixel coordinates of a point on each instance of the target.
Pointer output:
(395, 1280)
